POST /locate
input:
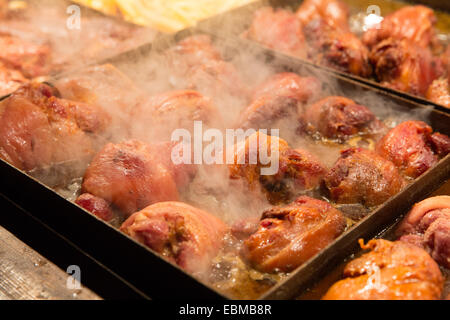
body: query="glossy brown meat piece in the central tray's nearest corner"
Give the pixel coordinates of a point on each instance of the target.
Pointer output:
(288, 236)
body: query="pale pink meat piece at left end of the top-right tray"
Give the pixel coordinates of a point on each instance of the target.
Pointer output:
(278, 29)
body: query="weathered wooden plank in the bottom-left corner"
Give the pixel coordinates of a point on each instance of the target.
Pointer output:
(26, 275)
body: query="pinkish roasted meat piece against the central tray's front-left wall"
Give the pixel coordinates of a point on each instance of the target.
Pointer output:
(182, 234)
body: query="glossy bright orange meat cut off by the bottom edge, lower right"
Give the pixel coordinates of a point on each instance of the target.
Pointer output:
(390, 271)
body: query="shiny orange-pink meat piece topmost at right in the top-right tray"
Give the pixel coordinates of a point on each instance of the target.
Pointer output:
(412, 23)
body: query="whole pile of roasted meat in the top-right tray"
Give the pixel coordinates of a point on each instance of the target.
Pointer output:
(402, 52)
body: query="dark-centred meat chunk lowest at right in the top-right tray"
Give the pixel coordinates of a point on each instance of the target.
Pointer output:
(405, 66)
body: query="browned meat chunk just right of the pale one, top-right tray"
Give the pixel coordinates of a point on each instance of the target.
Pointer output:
(337, 49)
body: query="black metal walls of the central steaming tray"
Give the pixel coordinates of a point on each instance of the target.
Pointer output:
(151, 276)
